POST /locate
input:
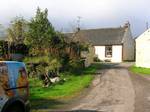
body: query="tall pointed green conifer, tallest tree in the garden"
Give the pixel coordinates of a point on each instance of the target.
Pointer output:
(40, 33)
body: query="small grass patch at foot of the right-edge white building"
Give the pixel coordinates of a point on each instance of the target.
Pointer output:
(140, 70)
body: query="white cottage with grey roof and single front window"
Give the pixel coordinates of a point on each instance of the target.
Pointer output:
(110, 44)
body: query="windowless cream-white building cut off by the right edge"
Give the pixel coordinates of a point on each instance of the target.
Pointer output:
(142, 50)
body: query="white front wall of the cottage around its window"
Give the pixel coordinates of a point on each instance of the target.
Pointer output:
(116, 53)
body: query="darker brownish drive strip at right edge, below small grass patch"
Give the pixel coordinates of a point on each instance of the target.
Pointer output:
(142, 91)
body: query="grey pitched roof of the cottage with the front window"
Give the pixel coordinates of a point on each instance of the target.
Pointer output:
(105, 36)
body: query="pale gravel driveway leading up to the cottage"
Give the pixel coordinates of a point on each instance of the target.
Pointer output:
(112, 91)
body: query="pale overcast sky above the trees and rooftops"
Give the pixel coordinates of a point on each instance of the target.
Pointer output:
(94, 13)
